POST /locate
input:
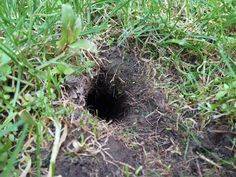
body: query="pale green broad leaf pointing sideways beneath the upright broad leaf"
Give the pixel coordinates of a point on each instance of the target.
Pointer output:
(84, 44)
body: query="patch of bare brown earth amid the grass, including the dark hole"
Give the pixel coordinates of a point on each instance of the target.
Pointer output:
(135, 134)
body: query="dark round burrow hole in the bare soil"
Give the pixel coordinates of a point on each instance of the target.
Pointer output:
(106, 99)
